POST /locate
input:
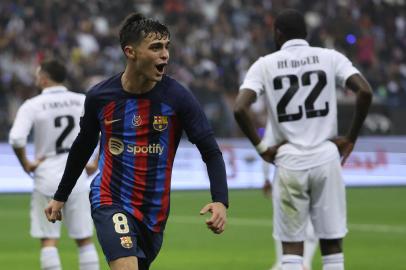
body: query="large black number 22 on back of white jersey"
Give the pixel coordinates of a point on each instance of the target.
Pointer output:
(310, 99)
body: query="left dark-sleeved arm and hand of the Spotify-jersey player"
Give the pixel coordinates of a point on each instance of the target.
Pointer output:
(80, 152)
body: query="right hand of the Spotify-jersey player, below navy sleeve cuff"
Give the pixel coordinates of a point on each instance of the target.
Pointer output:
(218, 219)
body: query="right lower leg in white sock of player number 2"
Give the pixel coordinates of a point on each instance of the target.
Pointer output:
(88, 258)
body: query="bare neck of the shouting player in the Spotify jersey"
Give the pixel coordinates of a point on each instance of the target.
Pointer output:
(135, 83)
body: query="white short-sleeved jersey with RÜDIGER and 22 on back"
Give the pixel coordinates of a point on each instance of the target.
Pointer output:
(299, 83)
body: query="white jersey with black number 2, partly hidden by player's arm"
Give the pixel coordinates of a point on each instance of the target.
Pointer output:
(54, 116)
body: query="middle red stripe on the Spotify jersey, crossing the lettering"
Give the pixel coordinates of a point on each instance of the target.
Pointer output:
(141, 159)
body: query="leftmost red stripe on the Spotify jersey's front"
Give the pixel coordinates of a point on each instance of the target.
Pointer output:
(105, 192)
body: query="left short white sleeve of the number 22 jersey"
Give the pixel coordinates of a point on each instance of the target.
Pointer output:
(254, 78)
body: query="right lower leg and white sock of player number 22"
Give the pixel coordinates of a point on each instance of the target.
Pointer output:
(332, 252)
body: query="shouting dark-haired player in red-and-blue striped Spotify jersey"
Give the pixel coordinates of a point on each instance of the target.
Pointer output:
(141, 114)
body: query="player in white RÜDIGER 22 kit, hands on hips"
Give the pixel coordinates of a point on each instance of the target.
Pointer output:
(299, 85)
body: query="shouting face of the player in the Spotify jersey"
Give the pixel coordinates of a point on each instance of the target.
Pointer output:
(152, 56)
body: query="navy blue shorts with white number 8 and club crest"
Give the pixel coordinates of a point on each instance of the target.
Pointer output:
(121, 235)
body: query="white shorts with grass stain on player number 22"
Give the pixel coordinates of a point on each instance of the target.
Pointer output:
(318, 193)
